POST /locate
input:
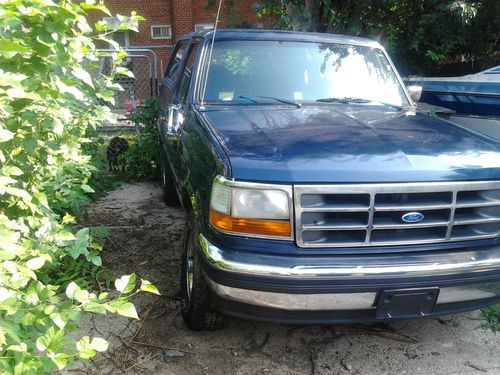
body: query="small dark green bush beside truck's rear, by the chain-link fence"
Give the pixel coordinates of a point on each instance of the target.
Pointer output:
(142, 158)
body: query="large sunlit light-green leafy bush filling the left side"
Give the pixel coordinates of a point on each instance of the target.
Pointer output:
(48, 101)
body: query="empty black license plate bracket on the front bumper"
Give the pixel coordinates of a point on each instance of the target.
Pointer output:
(406, 303)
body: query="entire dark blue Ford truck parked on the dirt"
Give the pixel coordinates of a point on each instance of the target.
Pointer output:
(315, 191)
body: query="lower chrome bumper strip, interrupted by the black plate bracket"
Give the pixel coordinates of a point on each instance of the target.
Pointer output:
(337, 301)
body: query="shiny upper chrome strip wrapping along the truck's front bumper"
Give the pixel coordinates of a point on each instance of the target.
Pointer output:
(215, 257)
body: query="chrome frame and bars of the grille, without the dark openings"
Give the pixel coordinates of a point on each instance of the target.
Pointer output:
(394, 188)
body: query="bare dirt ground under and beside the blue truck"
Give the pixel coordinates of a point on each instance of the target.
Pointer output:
(147, 239)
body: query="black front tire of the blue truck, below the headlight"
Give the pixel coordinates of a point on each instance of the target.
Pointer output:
(196, 307)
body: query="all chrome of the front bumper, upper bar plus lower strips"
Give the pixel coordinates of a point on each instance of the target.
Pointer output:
(345, 301)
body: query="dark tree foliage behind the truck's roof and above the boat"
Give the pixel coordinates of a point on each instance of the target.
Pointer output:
(420, 35)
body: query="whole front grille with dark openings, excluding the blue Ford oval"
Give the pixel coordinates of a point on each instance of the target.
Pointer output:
(371, 214)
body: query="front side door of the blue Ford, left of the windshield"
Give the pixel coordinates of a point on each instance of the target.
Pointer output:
(178, 116)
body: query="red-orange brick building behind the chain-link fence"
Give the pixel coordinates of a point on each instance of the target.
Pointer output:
(165, 21)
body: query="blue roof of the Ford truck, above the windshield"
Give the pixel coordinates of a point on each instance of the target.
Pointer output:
(253, 34)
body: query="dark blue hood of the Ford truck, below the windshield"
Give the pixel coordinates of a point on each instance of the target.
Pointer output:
(339, 143)
